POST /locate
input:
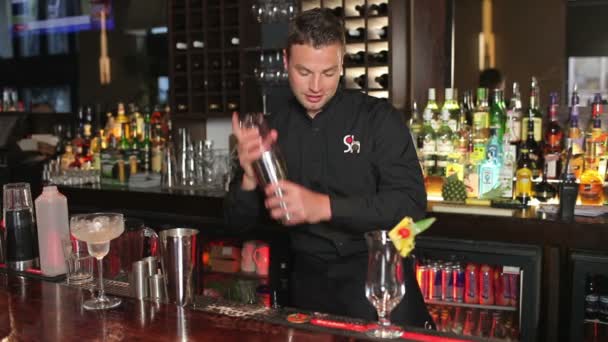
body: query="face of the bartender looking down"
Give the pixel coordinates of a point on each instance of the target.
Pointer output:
(314, 74)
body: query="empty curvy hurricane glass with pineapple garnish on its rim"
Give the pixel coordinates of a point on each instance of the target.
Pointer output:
(384, 286)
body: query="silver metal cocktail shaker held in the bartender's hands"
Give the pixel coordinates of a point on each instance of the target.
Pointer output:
(270, 168)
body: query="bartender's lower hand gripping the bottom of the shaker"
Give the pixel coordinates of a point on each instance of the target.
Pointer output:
(302, 205)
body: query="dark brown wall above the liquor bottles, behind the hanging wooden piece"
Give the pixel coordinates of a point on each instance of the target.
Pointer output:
(528, 42)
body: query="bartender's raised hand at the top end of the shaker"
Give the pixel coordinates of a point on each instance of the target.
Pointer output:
(249, 148)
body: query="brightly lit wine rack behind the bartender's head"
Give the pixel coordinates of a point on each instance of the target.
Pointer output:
(368, 61)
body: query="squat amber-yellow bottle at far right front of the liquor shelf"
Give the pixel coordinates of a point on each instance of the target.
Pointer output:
(590, 189)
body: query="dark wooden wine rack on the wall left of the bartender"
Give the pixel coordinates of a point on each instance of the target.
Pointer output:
(204, 57)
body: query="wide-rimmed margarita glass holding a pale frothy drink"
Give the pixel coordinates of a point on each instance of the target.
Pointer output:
(97, 230)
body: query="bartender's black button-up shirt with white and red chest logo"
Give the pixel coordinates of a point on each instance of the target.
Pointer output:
(356, 150)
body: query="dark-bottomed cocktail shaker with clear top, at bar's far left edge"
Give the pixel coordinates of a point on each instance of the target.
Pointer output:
(20, 232)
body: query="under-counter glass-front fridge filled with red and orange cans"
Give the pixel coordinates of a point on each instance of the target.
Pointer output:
(482, 289)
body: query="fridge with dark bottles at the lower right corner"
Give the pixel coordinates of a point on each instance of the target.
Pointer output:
(589, 296)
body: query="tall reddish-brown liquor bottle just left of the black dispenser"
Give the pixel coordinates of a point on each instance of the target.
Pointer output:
(553, 142)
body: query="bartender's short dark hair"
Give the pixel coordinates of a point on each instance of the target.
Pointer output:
(317, 27)
